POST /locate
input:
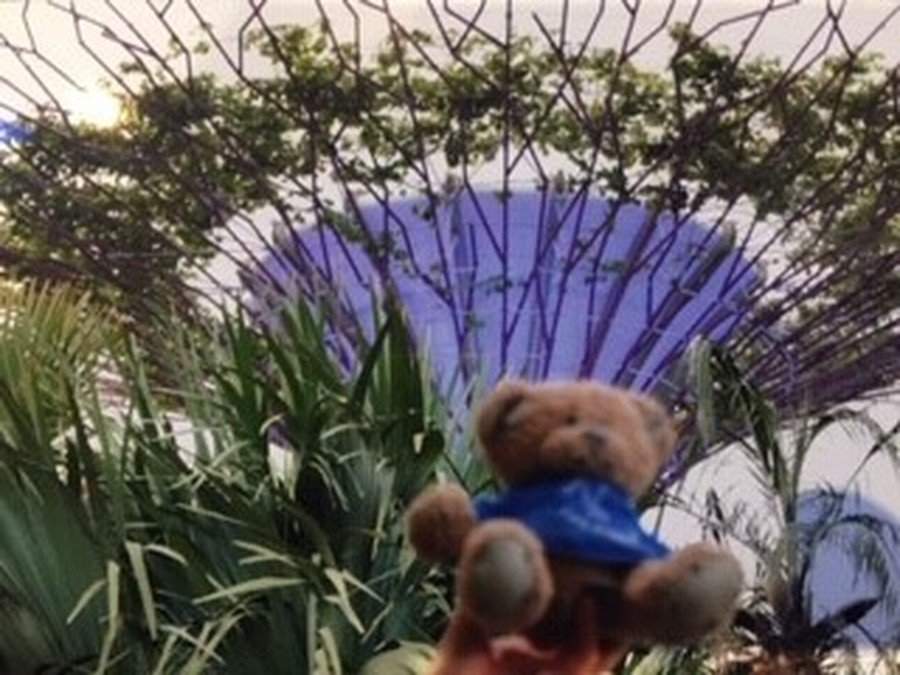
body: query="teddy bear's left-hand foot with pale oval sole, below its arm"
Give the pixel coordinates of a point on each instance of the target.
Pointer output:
(504, 581)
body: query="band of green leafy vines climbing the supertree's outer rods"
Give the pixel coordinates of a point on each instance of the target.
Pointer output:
(797, 162)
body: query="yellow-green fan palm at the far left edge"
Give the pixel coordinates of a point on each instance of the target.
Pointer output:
(52, 341)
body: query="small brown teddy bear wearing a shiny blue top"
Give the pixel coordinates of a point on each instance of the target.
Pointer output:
(558, 557)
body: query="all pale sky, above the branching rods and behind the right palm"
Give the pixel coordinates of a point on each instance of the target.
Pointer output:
(53, 37)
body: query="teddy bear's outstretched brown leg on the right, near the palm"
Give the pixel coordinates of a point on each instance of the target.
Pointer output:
(682, 598)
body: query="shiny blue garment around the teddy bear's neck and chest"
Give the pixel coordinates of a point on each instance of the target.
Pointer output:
(582, 518)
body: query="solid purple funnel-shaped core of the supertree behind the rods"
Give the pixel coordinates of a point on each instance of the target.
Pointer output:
(541, 283)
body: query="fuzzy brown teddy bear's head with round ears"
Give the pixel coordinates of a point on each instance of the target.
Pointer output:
(531, 432)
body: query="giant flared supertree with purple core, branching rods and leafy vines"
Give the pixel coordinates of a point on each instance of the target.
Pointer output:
(540, 201)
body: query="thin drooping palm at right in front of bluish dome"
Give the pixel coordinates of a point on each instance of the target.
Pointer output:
(780, 624)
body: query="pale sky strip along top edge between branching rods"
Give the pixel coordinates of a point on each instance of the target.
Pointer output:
(53, 34)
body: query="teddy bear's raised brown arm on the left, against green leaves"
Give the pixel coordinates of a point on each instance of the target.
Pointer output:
(438, 522)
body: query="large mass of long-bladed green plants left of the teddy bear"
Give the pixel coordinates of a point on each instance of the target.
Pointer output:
(256, 527)
